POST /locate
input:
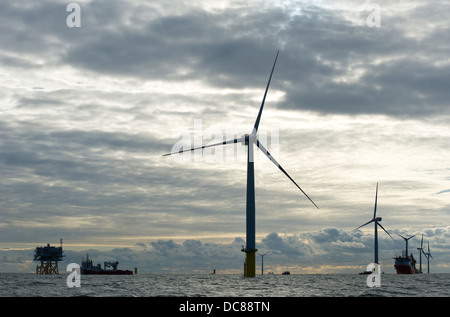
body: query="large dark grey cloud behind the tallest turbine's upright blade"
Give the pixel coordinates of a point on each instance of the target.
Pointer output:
(312, 58)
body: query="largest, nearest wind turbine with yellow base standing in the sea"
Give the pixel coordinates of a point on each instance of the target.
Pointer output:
(249, 140)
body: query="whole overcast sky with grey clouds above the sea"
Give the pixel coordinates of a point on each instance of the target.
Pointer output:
(359, 97)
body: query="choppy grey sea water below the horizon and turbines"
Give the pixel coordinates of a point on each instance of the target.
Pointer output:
(189, 285)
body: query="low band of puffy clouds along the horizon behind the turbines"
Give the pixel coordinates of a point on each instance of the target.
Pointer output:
(298, 252)
